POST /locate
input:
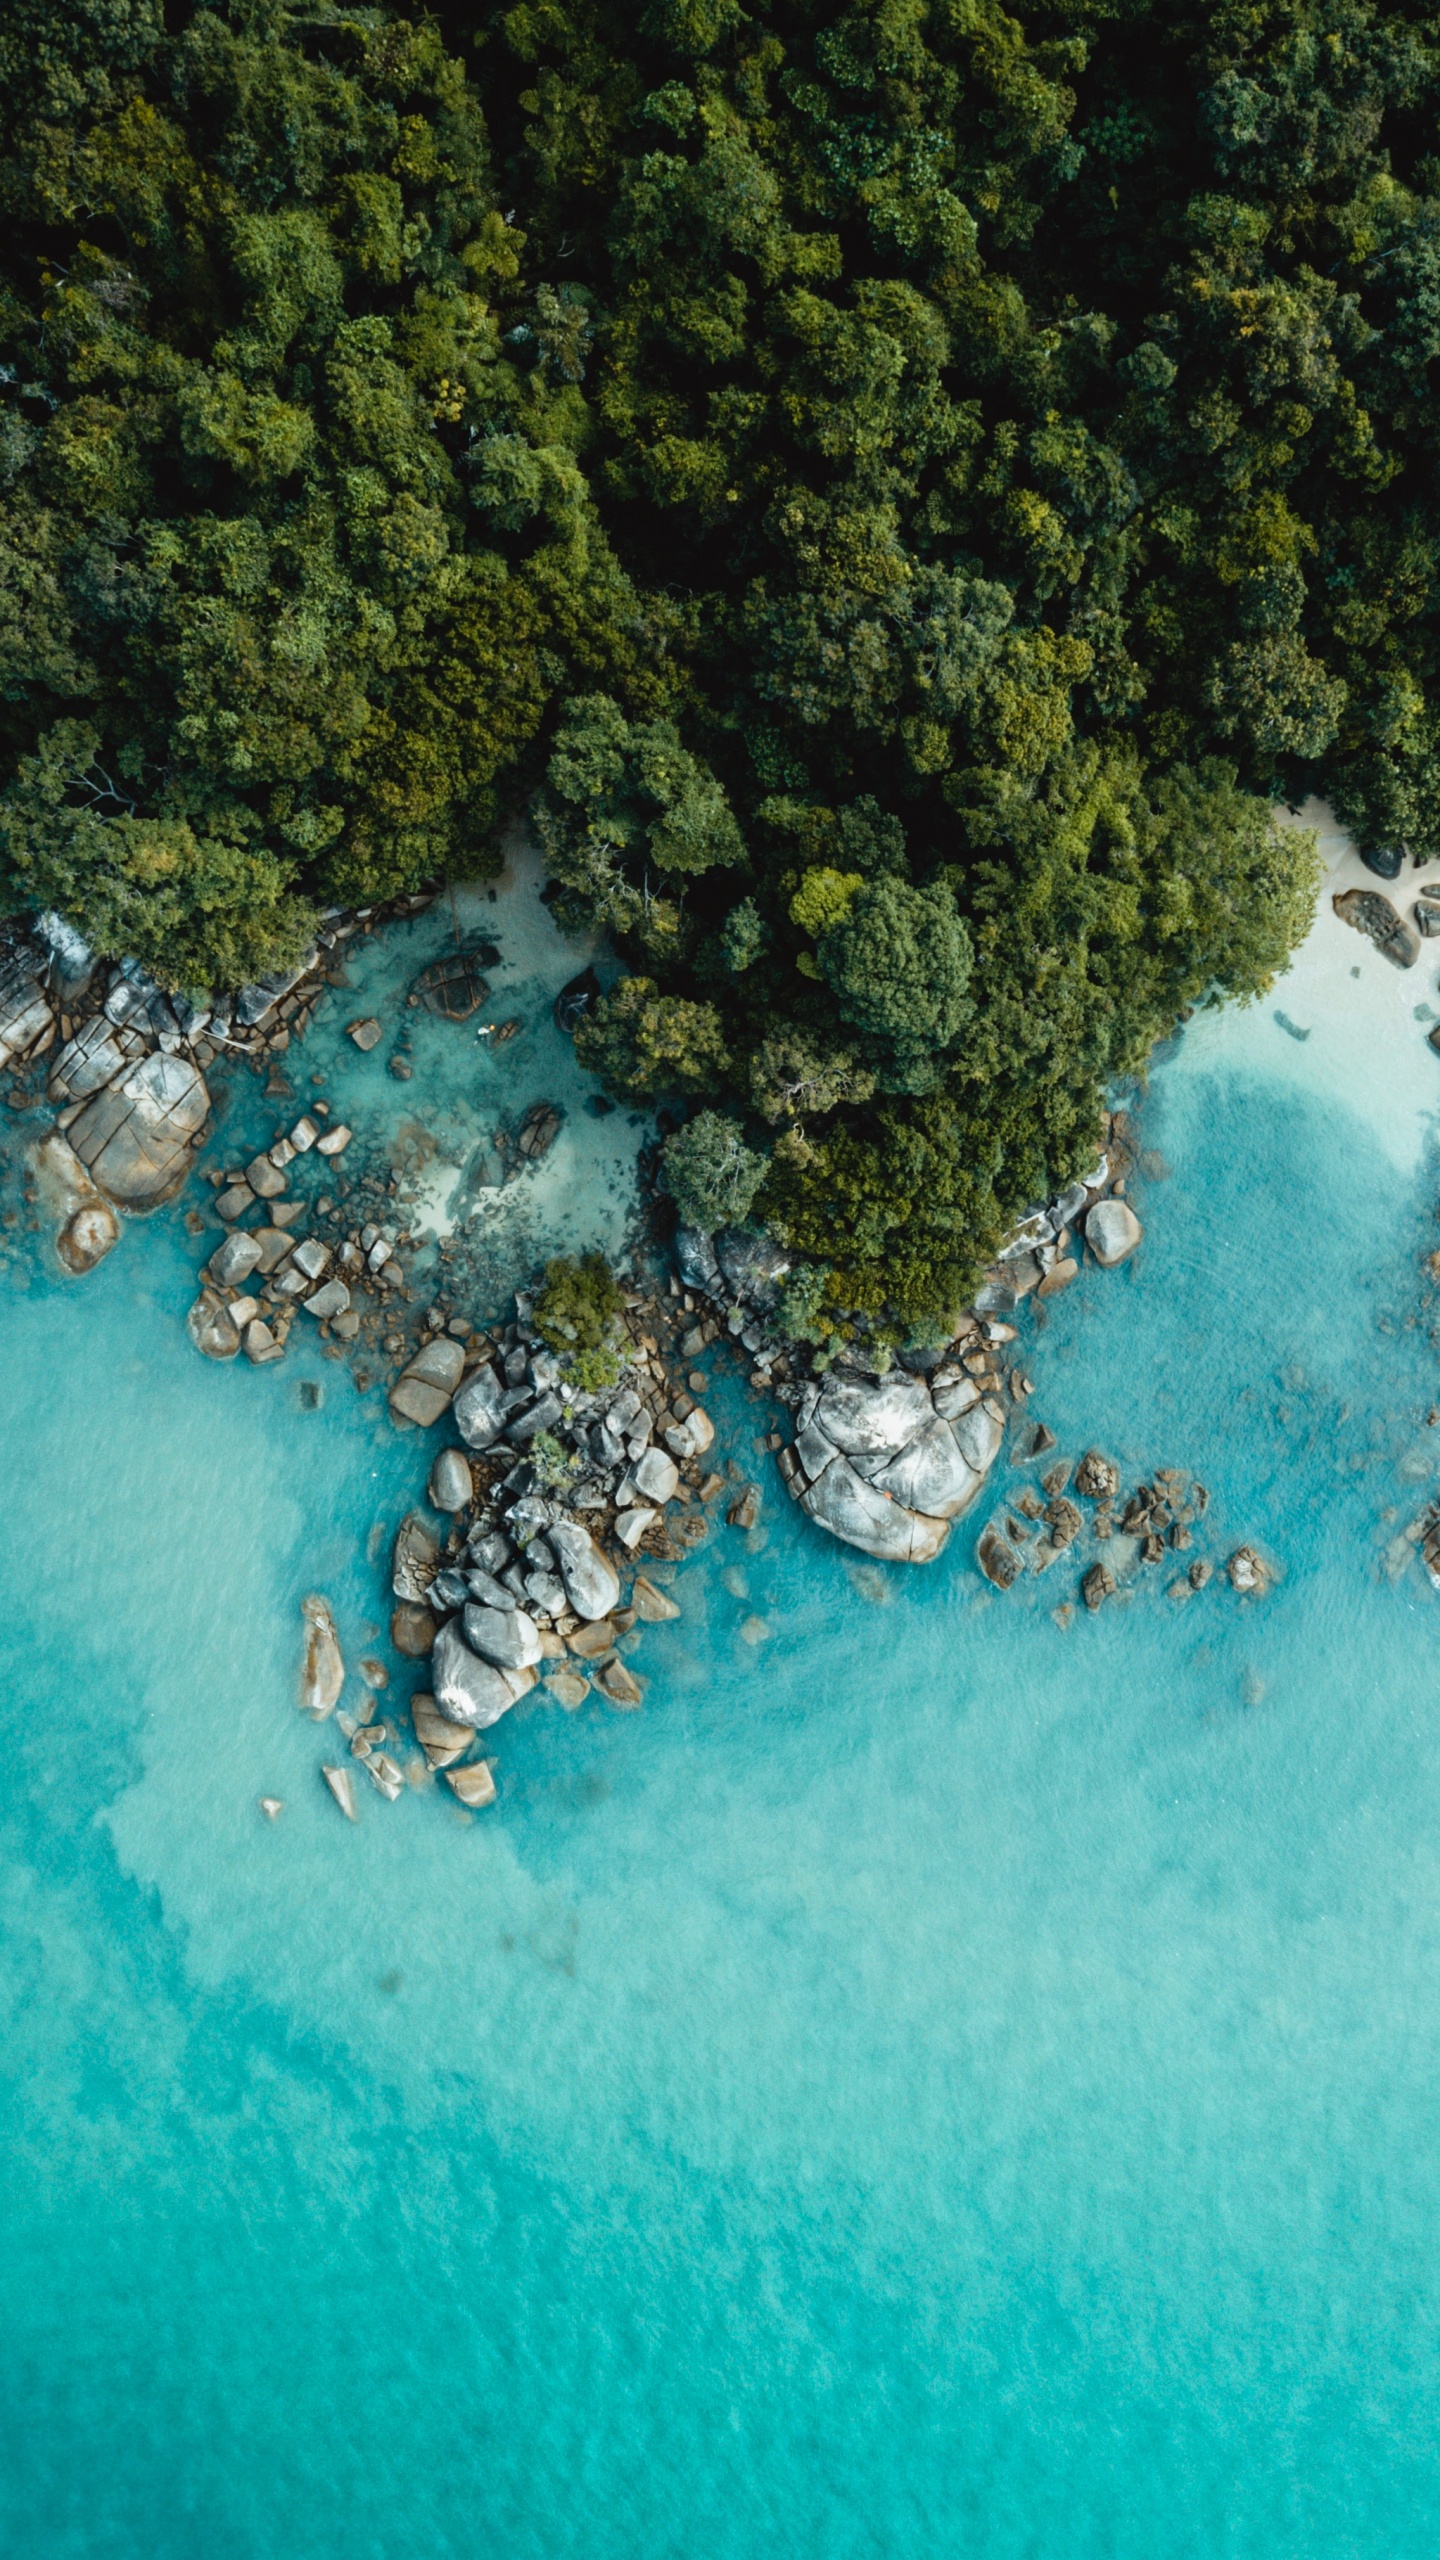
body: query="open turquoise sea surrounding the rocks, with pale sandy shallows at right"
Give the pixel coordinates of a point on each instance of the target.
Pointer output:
(931, 2083)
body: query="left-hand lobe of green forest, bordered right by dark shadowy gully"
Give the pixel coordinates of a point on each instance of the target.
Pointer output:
(293, 539)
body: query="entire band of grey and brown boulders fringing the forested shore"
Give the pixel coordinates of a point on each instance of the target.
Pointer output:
(557, 1514)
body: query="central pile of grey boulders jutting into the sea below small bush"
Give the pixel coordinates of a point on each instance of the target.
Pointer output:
(552, 1522)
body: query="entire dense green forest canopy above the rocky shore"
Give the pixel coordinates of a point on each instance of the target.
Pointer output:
(896, 493)
